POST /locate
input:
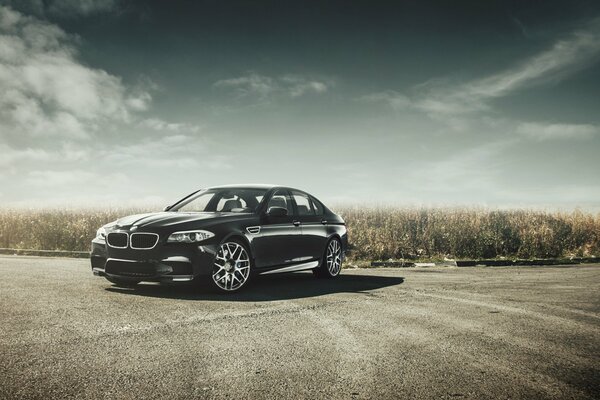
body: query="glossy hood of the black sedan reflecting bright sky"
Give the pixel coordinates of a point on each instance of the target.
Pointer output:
(168, 219)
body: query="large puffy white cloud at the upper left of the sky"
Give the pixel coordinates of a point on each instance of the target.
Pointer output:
(45, 91)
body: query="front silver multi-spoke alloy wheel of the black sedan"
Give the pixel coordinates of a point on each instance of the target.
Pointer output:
(232, 266)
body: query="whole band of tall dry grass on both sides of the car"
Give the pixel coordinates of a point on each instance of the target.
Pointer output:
(375, 233)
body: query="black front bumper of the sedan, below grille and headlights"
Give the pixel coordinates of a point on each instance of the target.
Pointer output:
(171, 262)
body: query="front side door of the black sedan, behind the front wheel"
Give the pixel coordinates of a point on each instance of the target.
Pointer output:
(277, 241)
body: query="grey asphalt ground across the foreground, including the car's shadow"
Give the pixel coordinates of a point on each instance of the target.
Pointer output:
(387, 333)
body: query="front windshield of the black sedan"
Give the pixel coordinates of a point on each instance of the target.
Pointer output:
(222, 200)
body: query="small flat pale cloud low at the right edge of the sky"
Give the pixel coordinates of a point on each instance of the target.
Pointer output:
(541, 132)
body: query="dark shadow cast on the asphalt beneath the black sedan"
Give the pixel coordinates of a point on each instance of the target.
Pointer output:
(267, 288)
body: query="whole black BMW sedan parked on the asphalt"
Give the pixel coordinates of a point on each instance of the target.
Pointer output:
(223, 235)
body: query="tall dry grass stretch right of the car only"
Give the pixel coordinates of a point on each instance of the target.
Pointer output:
(384, 233)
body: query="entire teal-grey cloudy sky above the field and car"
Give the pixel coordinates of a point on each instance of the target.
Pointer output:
(412, 103)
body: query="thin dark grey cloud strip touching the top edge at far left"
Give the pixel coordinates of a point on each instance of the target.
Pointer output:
(62, 8)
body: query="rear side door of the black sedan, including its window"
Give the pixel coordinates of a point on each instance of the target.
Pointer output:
(314, 227)
